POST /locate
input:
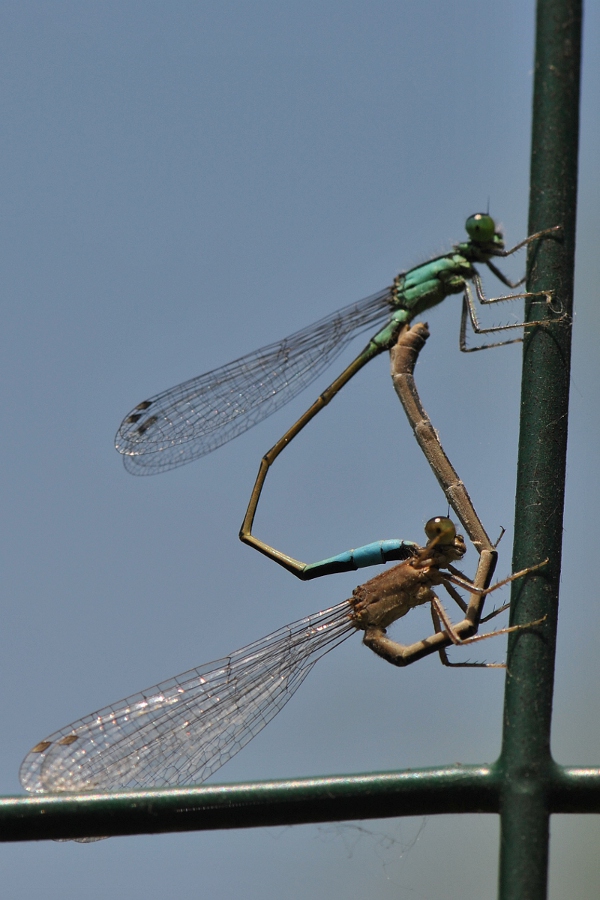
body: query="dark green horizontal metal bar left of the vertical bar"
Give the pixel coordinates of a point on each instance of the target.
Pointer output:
(416, 792)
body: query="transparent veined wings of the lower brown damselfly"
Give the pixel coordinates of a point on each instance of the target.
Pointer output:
(181, 731)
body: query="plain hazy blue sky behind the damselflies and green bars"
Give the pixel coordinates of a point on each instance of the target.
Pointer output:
(182, 183)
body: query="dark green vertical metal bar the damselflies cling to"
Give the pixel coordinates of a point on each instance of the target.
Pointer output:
(525, 762)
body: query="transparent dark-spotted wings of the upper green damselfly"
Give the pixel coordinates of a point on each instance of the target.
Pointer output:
(194, 418)
